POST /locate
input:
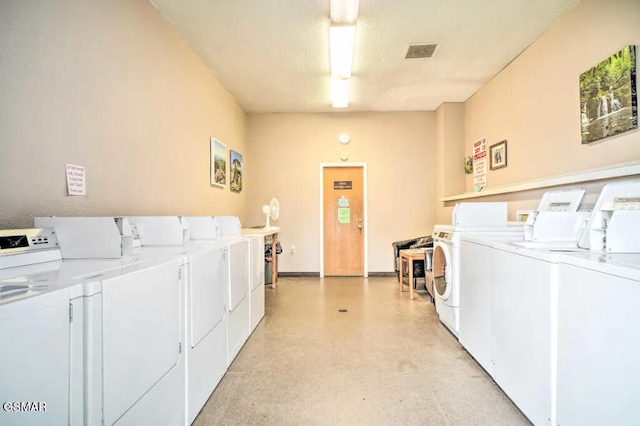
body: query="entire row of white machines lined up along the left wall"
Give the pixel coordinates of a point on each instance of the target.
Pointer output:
(150, 326)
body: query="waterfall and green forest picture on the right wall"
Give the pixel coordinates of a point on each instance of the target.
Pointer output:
(608, 97)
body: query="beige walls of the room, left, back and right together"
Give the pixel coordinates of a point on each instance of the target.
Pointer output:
(110, 86)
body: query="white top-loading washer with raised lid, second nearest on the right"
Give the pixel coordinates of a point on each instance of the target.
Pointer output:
(525, 283)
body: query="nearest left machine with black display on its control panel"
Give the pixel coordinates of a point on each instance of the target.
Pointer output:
(41, 333)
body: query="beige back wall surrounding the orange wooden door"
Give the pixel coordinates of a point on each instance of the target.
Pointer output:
(284, 153)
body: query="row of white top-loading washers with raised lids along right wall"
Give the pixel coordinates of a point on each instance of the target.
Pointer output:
(554, 323)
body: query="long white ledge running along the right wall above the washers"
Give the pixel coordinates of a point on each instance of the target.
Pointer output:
(620, 170)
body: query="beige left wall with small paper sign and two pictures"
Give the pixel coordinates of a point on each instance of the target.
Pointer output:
(107, 84)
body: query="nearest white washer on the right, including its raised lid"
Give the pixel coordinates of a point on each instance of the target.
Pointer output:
(598, 316)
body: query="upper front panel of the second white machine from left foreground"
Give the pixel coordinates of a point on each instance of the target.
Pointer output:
(141, 336)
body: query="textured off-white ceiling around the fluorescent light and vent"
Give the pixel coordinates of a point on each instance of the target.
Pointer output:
(273, 55)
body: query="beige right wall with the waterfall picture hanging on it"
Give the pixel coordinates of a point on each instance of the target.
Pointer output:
(534, 102)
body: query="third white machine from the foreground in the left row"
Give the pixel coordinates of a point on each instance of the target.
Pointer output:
(205, 308)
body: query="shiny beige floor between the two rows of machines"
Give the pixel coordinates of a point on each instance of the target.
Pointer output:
(386, 361)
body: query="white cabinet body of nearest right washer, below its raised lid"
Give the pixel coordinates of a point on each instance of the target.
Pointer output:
(598, 338)
